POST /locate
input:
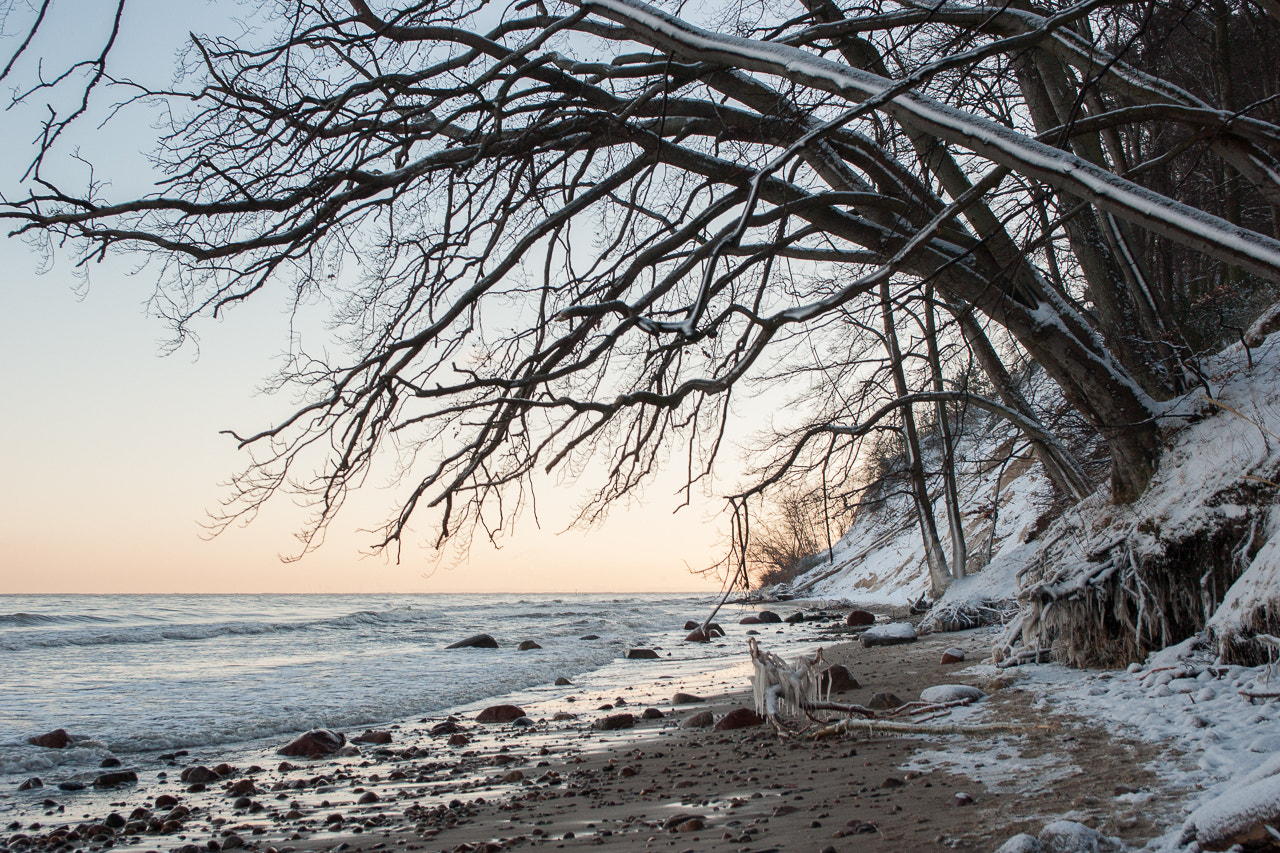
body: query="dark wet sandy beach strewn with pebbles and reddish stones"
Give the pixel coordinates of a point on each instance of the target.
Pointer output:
(564, 784)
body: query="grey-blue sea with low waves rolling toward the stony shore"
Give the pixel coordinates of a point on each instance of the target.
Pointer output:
(136, 677)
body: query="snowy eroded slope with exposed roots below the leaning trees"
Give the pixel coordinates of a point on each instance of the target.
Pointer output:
(1103, 583)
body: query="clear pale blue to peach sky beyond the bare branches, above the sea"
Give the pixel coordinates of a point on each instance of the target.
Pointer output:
(112, 455)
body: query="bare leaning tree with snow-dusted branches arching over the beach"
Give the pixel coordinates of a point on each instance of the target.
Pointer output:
(565, 230)
